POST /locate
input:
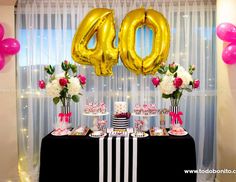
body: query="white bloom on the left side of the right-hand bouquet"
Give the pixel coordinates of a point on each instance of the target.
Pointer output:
(167, 87)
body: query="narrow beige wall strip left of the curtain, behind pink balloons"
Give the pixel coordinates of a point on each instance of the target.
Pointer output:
(8, 128)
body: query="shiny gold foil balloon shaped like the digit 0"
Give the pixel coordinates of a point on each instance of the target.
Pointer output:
(161, 40)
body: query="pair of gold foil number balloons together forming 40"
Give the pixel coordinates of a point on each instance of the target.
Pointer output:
(105, 55)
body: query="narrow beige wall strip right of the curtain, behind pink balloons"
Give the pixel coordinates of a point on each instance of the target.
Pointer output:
(226, 101)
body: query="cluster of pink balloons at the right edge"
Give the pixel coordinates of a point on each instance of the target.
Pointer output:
(227, 33)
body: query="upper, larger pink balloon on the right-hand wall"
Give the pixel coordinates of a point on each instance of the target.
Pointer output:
(226, 32)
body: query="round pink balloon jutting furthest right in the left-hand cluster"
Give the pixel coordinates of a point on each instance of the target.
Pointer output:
(9, 46)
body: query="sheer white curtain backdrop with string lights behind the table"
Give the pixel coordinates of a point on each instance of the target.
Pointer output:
(45, 30)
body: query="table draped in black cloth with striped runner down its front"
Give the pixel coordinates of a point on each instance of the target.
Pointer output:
(77, 158)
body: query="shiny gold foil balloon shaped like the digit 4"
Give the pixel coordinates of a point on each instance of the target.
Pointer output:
(104, 55)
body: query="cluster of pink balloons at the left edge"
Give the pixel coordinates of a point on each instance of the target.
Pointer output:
(8, 46)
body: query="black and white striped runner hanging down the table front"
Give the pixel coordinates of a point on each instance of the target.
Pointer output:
(118, 159)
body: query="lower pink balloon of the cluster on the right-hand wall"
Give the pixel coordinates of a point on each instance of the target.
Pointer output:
(229, 54)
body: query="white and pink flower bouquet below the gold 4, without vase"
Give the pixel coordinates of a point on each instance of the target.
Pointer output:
(64, 86)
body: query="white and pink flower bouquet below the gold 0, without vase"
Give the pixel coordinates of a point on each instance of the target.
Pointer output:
(174, 80)
